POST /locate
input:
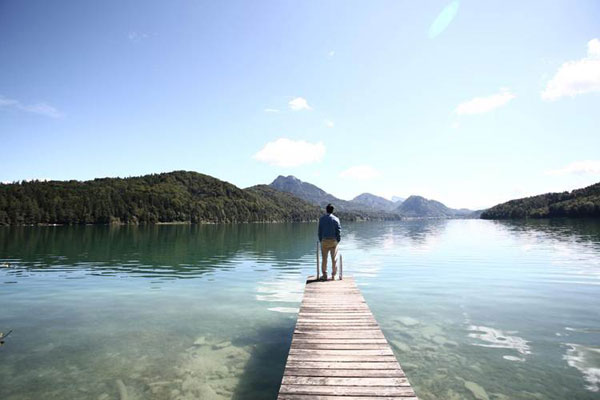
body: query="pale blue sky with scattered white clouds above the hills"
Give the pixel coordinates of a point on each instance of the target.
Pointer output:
(467, 102)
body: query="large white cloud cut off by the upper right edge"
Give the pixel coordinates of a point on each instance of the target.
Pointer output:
(576, 77)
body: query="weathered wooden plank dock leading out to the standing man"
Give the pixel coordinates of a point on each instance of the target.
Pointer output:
(338, 351)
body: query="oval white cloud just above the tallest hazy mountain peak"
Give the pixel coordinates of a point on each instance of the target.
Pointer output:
(285, 152)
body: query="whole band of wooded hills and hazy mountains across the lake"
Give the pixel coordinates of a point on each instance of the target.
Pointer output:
(191, 197)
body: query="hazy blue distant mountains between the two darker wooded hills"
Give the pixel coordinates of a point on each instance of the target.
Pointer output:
(374, 206)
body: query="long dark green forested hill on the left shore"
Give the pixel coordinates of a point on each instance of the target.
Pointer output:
(179, 196)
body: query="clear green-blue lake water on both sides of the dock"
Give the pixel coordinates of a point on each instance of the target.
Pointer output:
(473, 309)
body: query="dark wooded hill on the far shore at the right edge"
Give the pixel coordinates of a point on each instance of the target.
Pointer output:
(577, 203)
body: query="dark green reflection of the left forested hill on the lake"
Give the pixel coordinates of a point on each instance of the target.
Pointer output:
(166, 250)
